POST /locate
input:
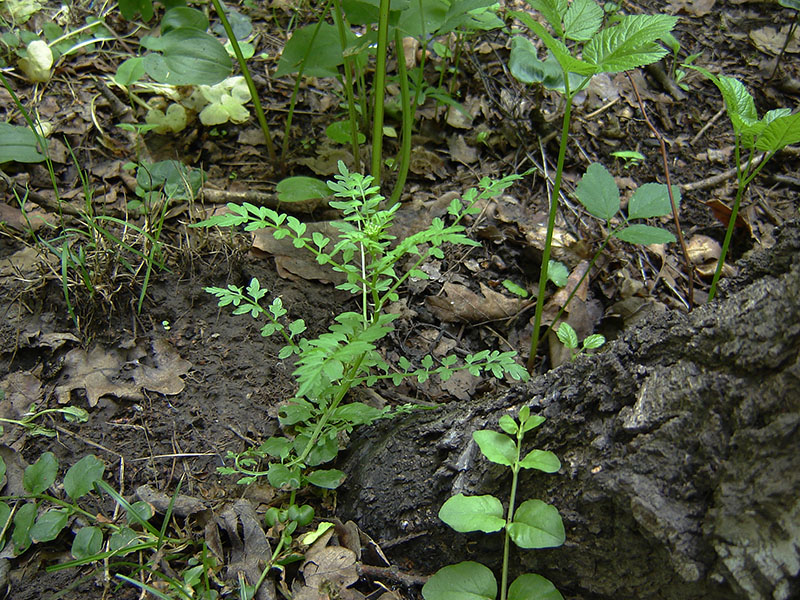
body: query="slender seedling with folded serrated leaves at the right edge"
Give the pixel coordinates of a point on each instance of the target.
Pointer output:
(774, 131)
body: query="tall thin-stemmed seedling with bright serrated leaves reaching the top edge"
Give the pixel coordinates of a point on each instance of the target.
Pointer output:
(625, 43)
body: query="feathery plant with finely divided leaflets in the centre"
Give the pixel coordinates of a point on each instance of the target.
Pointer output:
(328, 366)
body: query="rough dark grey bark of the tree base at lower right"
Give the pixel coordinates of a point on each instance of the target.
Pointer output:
(679, 446)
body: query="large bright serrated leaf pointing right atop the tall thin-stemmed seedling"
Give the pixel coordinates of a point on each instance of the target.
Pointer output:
(631, 43)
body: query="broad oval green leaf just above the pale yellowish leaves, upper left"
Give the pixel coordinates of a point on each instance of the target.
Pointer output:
(189, 57)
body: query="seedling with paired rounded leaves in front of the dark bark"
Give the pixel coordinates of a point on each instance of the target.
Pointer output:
(534, 524)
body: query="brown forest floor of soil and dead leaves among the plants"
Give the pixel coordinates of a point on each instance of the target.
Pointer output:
(172, 388)
